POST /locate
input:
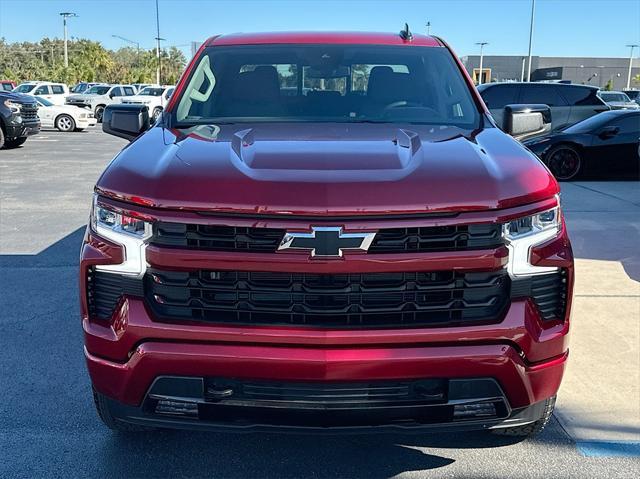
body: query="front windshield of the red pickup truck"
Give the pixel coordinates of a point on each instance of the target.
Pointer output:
(326, 83)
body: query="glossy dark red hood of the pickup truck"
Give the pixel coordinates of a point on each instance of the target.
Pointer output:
(327, 170)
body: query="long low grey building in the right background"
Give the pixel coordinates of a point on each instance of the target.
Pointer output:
(584, 70)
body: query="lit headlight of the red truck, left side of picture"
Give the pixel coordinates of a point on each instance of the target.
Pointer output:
(132, 233)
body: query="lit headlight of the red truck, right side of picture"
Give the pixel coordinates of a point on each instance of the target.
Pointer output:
(524, 233)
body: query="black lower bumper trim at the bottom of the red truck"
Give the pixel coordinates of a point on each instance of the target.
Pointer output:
(191, 403)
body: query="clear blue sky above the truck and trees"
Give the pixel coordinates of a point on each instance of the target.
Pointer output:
(598, 28)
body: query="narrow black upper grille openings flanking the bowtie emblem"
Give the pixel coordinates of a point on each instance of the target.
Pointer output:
(387, 240)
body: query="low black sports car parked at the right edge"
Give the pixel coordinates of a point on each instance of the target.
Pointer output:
(605, 144)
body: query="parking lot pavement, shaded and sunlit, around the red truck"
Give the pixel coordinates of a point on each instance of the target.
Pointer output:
(48, 427)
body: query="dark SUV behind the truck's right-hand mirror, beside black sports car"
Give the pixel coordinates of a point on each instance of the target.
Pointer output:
(569, 103)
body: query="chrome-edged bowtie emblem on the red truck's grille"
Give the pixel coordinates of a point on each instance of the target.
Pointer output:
(326, 241)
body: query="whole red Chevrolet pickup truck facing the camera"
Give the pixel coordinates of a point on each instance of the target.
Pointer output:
(325, 230)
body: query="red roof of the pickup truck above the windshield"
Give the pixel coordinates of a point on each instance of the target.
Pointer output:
(360, 38)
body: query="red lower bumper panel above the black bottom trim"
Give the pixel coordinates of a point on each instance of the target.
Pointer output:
(129, 381)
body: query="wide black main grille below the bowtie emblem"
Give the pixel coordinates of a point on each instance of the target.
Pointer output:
(324, 300)
